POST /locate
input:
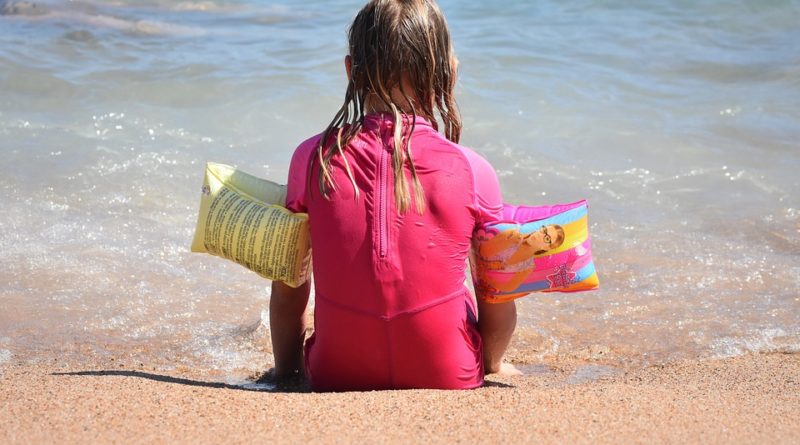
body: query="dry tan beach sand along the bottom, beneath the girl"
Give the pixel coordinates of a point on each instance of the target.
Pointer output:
(749, 399)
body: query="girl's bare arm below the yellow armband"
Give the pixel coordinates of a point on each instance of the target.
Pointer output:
(287, 308)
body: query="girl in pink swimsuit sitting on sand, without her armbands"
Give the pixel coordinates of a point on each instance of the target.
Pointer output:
(393, 201)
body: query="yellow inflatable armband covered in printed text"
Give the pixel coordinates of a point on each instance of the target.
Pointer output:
(242, 219)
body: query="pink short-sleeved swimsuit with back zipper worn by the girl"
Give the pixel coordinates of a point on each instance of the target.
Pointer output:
(392, 310)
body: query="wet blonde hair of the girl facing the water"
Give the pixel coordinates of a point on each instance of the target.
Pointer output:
(392, 43)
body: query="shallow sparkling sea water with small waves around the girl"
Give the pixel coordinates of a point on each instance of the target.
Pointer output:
(678, 121)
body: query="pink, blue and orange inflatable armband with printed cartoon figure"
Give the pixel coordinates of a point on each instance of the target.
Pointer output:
(533, 249)
